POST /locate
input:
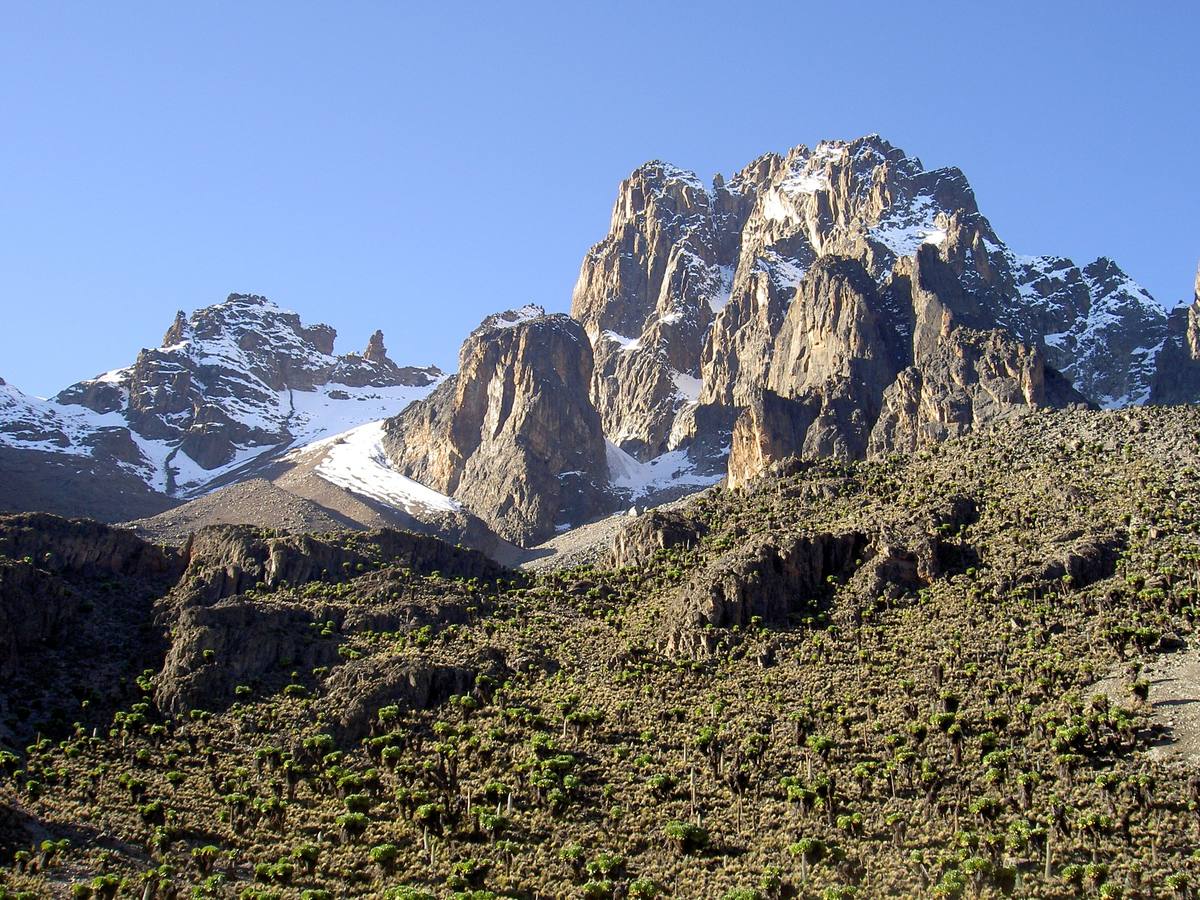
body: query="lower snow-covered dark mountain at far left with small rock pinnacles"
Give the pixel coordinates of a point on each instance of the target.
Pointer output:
(230, 388)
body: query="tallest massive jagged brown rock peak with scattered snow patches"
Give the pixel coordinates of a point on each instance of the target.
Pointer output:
(845, 301)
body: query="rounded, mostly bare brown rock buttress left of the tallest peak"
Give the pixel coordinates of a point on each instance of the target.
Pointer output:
(513, 436)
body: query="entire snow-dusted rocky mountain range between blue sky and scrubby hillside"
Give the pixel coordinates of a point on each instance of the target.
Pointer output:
(843, 301)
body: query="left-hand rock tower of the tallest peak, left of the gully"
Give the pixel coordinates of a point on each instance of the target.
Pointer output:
(647, 296)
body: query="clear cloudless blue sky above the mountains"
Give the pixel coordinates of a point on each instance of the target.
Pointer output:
(416, 166)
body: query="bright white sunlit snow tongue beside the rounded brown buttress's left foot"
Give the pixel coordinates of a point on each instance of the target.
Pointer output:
(356, 460)
